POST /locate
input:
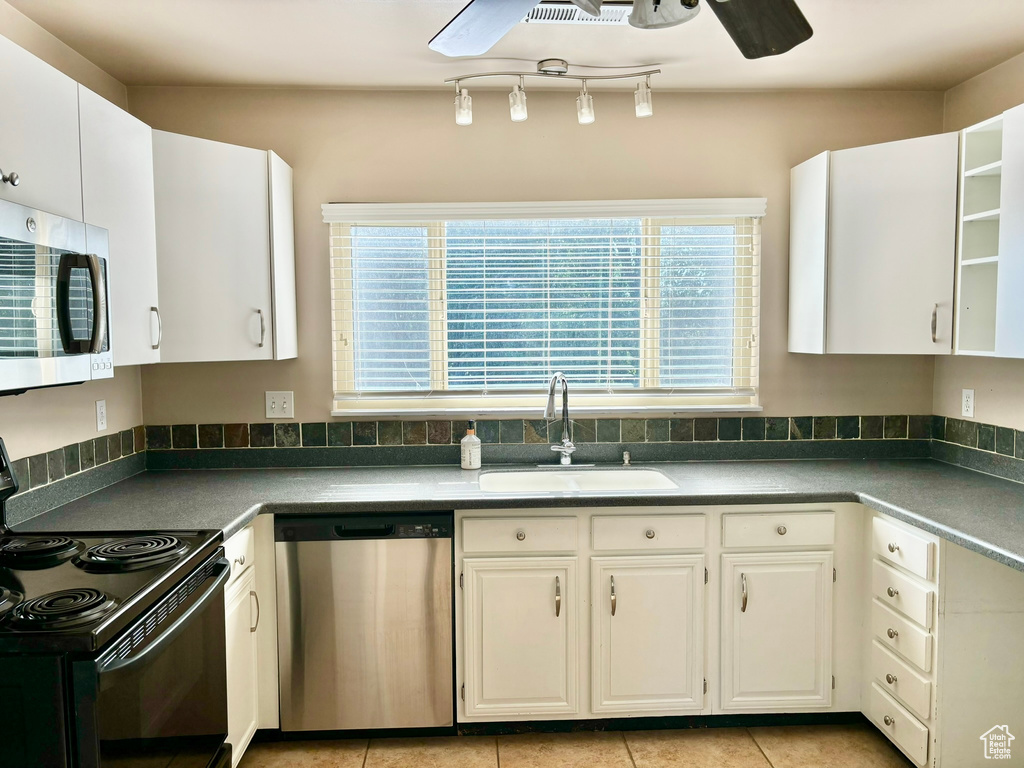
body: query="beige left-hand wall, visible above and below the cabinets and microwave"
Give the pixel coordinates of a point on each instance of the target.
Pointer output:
(45, 420)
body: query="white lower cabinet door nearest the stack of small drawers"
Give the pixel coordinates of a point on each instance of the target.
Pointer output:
(777, 631)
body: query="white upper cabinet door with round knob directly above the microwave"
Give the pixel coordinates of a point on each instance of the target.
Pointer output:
(39, 135)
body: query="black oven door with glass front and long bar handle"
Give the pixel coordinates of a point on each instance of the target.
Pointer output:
(158, 696)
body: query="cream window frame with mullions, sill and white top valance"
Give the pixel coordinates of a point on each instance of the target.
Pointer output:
(441, 403)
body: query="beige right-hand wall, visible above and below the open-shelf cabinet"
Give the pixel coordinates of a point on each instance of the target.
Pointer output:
(999, 385)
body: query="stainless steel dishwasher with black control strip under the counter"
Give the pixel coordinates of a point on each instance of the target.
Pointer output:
(365, 622)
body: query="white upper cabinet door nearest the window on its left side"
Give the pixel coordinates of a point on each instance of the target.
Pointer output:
(214, 246)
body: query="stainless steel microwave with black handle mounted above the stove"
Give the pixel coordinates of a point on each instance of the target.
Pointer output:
(55, 322)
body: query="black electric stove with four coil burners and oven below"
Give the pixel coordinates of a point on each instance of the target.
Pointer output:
(112, 648)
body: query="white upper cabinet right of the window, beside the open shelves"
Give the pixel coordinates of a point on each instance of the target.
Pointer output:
(873, 249)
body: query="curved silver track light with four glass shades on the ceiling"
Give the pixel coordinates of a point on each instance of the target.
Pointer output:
(552, 69)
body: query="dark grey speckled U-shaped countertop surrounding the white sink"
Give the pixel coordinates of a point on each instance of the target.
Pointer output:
(975, 510)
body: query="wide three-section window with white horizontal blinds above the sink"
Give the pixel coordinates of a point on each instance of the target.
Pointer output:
(475, 314)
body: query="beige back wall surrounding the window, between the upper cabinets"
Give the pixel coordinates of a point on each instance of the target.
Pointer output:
(398, 147)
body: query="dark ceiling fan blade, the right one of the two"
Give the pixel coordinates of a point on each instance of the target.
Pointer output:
(762, 28)
